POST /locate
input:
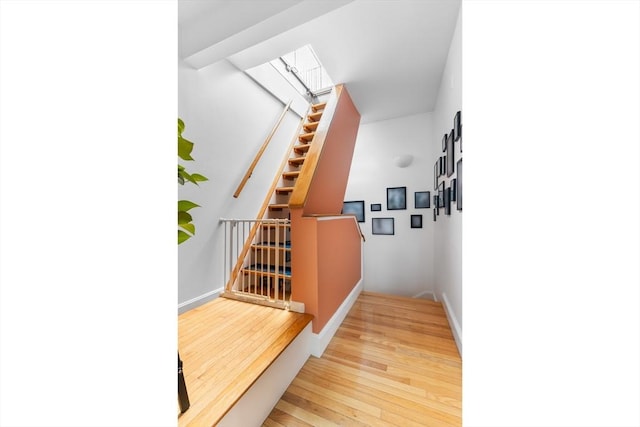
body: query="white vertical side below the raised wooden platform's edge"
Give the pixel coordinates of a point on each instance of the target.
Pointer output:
(258, 402)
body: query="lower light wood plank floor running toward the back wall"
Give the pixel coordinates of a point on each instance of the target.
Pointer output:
(393, 362)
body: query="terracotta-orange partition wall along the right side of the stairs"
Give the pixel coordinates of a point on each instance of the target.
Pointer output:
(327, 251)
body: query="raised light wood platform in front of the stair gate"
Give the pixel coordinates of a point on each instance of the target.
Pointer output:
(225, 346)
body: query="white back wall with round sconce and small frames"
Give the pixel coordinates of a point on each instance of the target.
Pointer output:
(401, 264)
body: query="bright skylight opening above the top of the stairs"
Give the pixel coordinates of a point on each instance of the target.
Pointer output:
(303, 70)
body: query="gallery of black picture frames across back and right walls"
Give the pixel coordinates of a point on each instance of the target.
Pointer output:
(440, 199)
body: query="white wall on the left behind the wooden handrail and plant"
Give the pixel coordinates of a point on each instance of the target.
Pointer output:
(228, 116)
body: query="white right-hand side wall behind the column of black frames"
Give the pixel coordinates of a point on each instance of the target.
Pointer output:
(448, 229)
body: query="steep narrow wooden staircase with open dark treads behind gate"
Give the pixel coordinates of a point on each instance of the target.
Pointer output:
(265, 275)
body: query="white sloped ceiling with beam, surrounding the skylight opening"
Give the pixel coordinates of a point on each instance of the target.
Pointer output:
(390, 53)
